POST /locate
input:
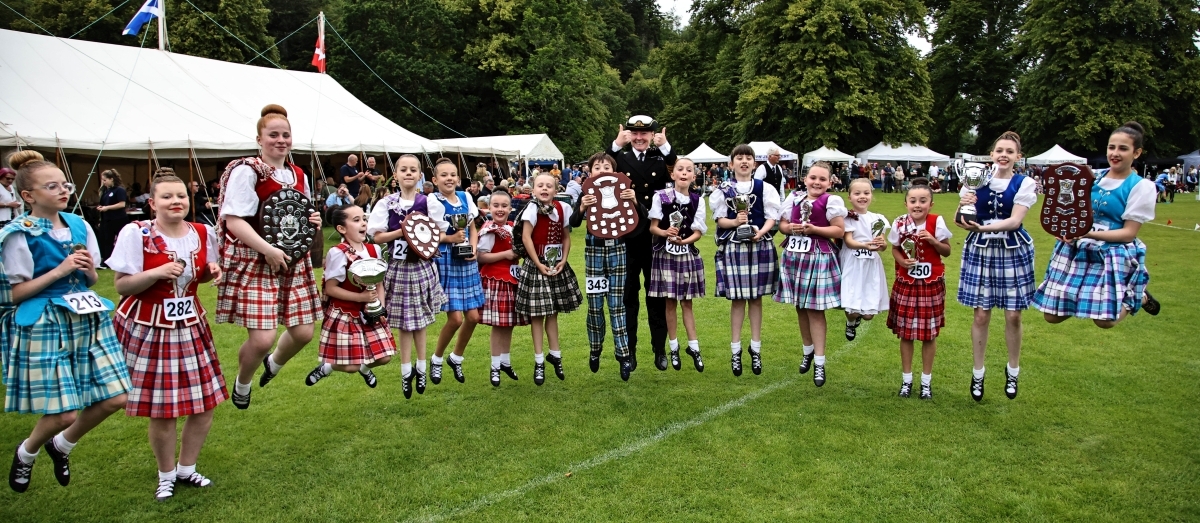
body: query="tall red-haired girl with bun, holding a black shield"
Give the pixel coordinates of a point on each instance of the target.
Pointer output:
(260, 292)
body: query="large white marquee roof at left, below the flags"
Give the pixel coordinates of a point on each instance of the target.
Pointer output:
(87, 97)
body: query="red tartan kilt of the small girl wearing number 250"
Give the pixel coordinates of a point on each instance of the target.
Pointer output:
(917, 311)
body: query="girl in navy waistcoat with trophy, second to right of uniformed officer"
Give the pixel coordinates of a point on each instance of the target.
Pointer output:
(747, 269)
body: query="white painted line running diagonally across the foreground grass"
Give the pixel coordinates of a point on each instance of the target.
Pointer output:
(628, 449)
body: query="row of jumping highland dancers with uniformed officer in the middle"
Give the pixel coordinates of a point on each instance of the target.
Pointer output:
(74, 358)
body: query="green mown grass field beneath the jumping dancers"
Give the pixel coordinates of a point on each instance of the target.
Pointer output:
(1106, 429)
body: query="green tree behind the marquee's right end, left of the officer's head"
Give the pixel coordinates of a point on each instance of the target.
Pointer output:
(550, 68)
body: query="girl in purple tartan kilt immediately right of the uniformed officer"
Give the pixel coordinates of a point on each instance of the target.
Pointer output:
(677, 272)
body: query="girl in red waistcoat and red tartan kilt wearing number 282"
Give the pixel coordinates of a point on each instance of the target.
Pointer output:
(169, 345)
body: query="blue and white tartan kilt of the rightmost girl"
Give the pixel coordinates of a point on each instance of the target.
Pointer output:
(1094, 281)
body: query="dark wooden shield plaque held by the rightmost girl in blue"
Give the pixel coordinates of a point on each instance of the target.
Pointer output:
(1067, 209)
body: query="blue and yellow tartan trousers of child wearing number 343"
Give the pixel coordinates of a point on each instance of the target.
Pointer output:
(608, 262)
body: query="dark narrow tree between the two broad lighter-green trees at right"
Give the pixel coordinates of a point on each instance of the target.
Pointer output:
(974, 73)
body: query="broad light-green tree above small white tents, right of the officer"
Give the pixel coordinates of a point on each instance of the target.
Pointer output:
(835, 73)
